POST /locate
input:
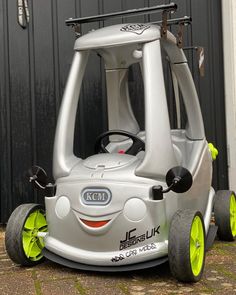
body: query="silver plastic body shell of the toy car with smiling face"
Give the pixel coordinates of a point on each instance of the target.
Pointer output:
(116, 188)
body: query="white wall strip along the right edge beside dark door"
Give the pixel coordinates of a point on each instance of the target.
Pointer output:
(229, 40)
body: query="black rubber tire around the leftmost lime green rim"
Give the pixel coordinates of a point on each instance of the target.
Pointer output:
(13, 236)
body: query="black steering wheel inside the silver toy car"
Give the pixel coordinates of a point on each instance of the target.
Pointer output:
(137, 145)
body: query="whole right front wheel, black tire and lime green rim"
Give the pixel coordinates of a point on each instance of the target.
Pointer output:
(186, 247)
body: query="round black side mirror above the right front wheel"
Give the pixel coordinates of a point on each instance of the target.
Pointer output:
(179, 179)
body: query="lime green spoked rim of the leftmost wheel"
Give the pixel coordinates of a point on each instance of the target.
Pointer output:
(32, 244)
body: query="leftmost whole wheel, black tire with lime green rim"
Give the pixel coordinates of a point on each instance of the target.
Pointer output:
(23, 245)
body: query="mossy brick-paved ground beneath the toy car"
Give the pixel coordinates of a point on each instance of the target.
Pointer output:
(49, 278)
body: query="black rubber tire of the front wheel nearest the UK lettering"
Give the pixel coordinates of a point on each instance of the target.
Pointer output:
(179, 246)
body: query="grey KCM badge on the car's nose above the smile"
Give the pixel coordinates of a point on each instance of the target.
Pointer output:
(96, 196)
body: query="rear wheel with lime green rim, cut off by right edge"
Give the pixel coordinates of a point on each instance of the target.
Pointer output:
(225, 215)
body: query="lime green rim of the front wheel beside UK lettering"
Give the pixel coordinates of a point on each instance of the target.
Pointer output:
(197, 247)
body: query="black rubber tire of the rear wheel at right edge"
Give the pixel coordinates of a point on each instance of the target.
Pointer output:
(222, 215)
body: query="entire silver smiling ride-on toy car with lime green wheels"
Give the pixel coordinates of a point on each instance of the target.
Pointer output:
(145, 196)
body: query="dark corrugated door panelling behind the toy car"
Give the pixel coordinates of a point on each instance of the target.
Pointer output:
(34, 63)
